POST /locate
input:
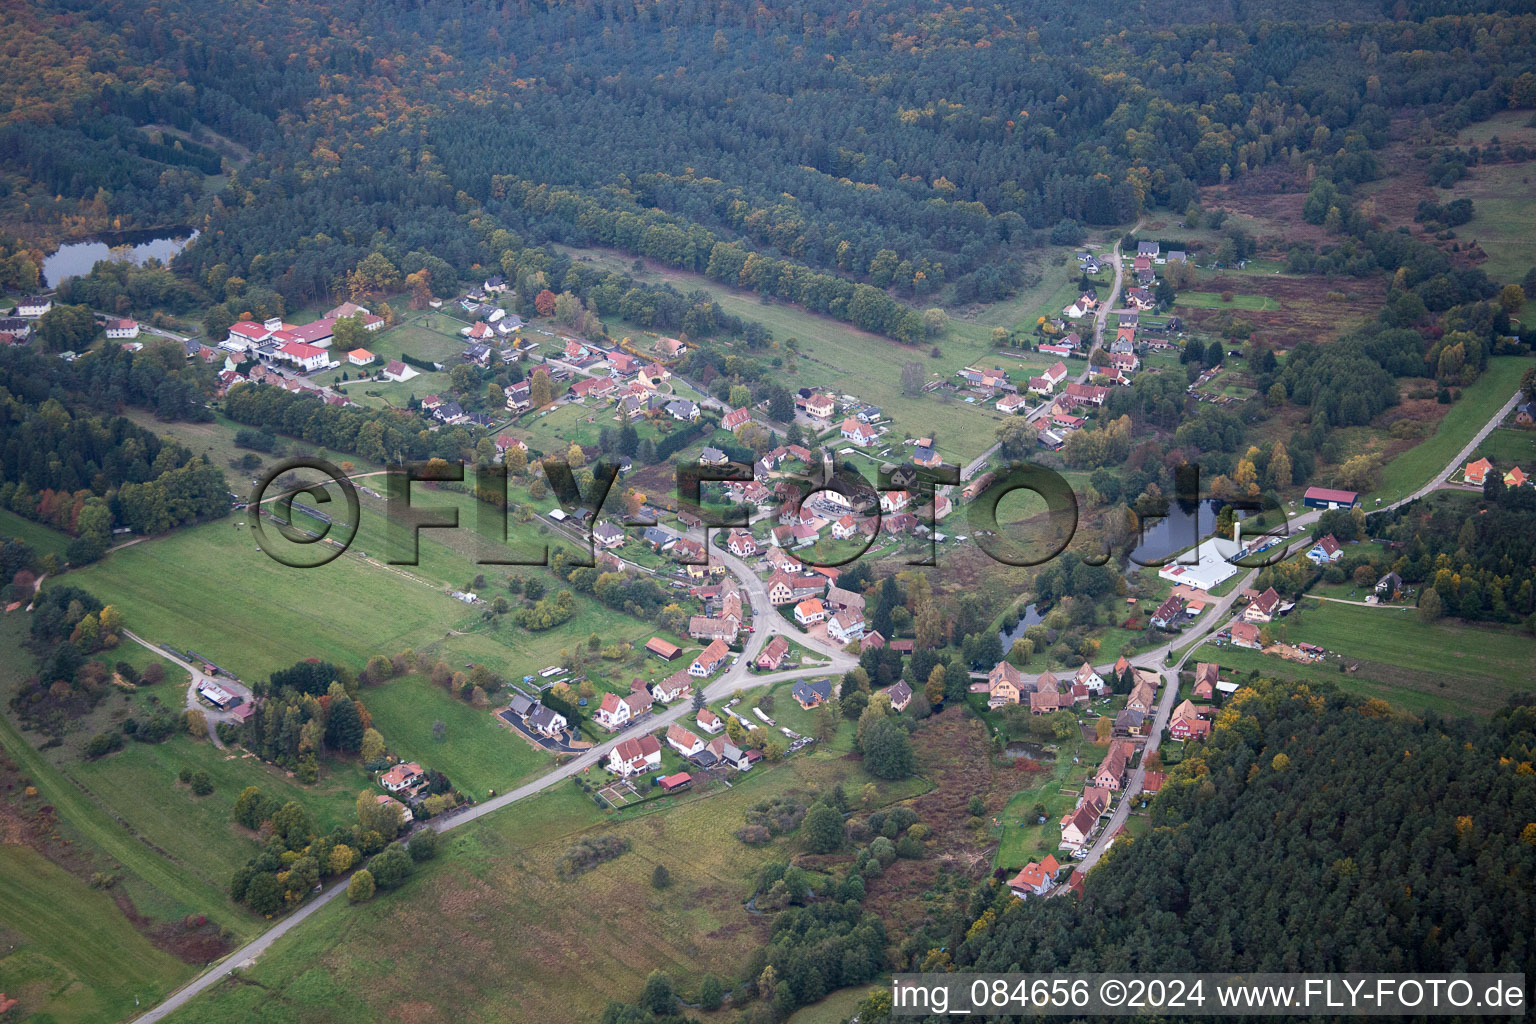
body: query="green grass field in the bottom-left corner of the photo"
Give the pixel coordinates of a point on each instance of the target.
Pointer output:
(71, 956)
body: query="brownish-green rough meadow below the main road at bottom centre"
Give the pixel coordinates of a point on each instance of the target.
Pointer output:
(531, 946)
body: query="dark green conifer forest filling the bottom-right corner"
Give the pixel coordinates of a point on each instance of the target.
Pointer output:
(1388, 844)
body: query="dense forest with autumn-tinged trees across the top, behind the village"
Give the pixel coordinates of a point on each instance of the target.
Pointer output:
(796, 150)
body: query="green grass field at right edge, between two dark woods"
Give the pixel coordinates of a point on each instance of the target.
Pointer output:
(1449, 667)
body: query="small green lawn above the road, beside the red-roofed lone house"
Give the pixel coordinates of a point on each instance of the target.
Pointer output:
(477, 753)
